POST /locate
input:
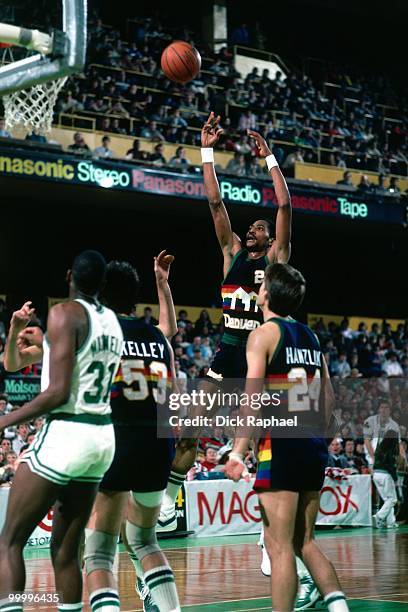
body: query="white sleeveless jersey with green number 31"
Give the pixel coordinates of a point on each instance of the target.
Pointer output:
(96, 364)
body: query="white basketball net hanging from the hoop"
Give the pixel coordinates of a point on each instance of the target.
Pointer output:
(29, 110)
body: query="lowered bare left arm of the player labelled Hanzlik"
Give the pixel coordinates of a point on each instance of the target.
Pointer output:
(261, 347)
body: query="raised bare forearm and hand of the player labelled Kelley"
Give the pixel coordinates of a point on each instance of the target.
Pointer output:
(167, 312)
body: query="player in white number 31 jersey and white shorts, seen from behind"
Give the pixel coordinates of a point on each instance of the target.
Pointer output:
(69, 456)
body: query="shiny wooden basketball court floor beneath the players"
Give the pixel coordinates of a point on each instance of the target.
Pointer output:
(222, 574)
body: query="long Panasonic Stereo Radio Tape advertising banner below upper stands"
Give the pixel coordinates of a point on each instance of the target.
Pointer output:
(116, 175)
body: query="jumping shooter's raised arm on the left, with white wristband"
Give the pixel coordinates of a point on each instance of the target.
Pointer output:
(229, 242)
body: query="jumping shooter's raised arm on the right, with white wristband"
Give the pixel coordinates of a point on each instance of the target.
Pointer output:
(281, 247)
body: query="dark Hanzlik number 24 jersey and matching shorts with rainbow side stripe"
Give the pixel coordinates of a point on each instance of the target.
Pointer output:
(294, 463)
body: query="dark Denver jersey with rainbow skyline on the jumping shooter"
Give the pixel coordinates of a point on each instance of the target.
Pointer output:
(239, 291)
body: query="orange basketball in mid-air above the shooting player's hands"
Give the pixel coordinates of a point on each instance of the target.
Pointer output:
(180, 62)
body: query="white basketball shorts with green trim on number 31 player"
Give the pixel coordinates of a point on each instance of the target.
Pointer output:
(65, 451)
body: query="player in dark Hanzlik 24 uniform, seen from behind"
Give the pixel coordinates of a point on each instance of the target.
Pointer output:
(290, 471)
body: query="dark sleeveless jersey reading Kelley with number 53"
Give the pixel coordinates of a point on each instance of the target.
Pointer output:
(144, 374)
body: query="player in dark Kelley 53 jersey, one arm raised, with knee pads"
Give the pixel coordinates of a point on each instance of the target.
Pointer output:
(146, 367)
